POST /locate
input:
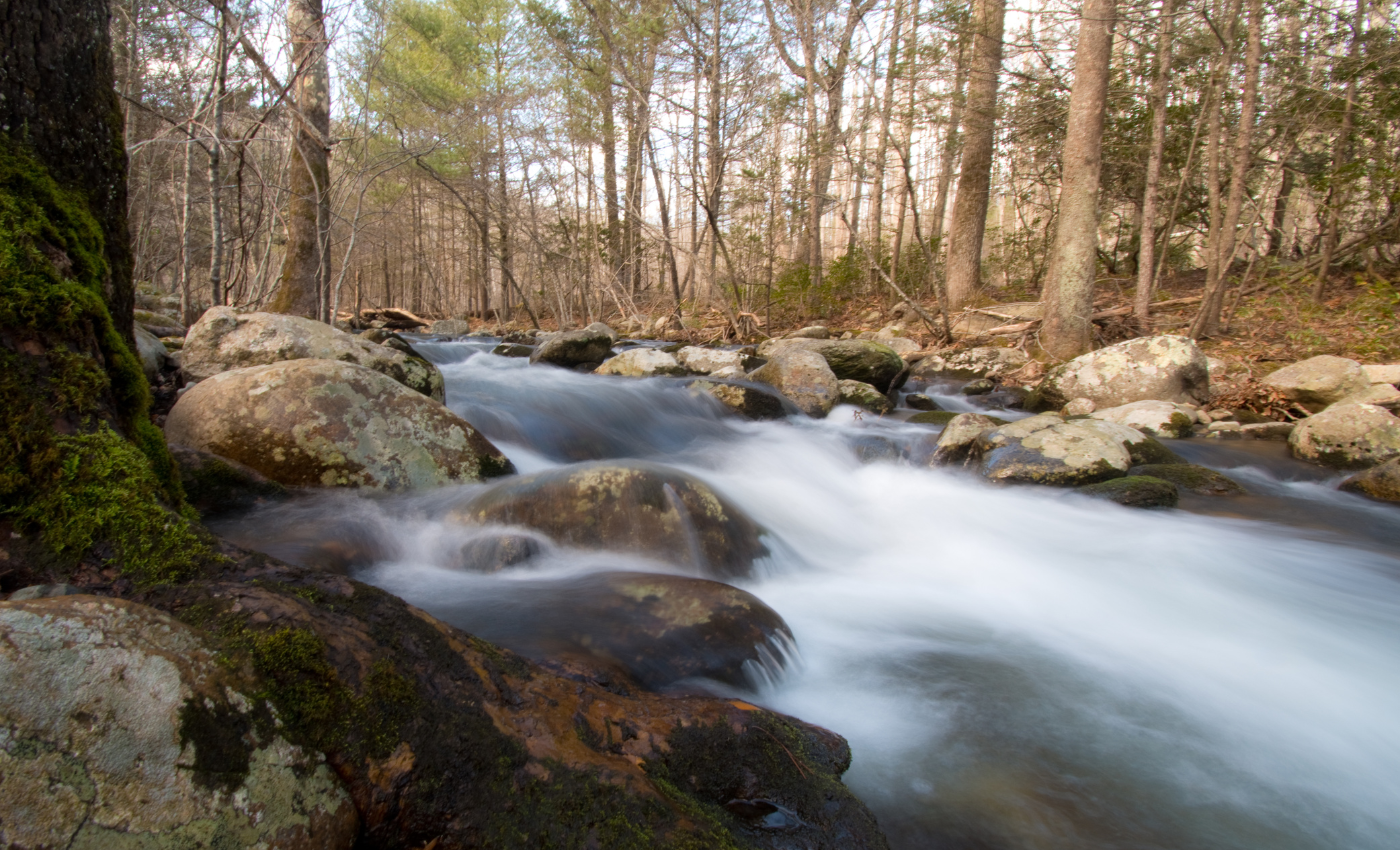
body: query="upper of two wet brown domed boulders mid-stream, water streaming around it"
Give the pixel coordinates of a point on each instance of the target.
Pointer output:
(626, 506)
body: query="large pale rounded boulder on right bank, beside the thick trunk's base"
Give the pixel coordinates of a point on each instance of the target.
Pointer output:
(1168, 369)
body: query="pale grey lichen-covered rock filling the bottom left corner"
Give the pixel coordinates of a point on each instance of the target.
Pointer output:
(121, 729)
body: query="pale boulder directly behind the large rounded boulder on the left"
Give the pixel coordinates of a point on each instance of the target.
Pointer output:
(225, 340)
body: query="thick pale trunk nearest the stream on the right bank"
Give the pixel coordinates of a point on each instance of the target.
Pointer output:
(1069, 295)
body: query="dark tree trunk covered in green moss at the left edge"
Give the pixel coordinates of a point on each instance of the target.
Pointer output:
(85, 474)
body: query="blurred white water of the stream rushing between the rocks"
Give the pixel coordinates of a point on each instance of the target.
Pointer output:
(1014, 669)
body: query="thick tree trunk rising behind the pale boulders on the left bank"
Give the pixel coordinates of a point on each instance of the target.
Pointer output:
(306, 267)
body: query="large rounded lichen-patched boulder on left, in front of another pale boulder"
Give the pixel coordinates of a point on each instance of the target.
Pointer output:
(323, 424)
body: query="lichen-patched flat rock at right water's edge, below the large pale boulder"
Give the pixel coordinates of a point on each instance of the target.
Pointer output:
(1048, 450)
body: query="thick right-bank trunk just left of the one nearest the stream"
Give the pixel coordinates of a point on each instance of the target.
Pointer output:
(964, 268)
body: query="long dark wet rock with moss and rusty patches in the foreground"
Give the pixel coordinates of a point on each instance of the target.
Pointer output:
(443, 740)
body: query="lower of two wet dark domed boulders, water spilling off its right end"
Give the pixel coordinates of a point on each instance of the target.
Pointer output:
(659, 629)
